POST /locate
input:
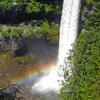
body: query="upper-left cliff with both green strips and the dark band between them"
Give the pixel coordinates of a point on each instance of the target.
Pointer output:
(38, 18)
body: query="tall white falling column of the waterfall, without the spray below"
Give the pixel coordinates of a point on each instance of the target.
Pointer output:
(68, 32)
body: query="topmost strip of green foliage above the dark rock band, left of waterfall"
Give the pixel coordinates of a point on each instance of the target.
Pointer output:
(30, 5)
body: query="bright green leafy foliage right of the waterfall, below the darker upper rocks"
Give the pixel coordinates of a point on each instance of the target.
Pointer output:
(84, 84)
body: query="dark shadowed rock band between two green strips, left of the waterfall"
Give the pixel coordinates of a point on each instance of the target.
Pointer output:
(18, 15)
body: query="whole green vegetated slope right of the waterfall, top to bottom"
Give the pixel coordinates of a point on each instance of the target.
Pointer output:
(84, 84)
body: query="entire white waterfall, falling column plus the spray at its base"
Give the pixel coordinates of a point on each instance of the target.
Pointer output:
(68, 33)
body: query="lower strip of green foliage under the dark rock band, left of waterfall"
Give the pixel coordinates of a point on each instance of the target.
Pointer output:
(35, 29)
